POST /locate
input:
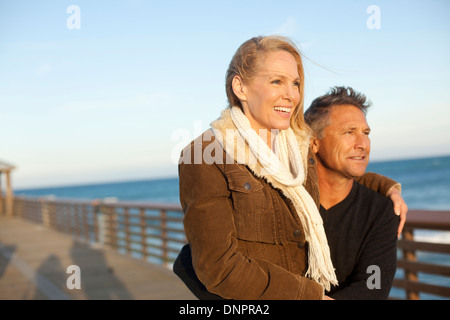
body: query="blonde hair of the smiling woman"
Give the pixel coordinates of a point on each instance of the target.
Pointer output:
(245, 64)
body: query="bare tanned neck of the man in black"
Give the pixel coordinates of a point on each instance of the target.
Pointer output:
(333, 187)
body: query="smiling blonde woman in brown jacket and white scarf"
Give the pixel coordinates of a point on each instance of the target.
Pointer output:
(250, 205)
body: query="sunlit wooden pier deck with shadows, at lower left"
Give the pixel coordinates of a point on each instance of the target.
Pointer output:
(34, 262)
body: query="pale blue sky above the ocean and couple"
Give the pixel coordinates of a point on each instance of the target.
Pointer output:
(104, 91)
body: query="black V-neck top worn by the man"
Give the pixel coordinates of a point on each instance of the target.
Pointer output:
(362, 236)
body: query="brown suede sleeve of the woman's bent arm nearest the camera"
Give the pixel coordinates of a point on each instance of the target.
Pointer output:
(210, 230)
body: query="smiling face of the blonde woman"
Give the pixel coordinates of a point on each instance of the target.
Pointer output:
(270, 98)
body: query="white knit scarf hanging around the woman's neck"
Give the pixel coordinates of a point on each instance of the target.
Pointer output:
(285, 171)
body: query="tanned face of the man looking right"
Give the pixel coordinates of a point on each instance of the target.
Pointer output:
(344, 149)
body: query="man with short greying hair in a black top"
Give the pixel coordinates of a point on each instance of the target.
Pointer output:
(360, 224)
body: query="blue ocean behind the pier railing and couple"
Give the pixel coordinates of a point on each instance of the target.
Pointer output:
(425, 185)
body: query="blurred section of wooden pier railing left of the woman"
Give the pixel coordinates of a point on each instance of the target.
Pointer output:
(149, 231)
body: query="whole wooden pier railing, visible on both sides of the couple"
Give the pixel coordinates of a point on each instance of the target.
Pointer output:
(154, 232)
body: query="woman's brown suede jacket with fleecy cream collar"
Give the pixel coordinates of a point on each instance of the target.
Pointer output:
(246, 240)
